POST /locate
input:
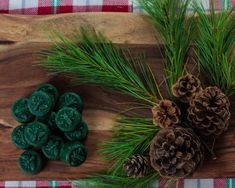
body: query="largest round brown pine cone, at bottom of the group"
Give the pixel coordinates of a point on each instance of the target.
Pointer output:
(176, 152)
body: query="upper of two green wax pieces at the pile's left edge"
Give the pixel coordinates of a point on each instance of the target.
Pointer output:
(21, 111)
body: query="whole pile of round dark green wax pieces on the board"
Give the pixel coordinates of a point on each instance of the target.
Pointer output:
(51, 128)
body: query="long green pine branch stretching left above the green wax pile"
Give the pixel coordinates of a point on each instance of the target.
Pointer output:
(91, 58)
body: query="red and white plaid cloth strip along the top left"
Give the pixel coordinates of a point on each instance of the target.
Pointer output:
(42, 7)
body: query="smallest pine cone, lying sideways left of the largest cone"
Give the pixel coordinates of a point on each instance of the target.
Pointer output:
(137, 166)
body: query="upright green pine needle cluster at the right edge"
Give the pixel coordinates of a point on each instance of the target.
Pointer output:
(215, 47)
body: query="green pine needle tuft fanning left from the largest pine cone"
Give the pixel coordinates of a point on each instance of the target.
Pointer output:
(131, 136)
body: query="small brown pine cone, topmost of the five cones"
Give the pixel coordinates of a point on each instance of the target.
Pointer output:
(186, 88)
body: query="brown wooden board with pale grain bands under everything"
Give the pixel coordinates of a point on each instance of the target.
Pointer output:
(22, 36)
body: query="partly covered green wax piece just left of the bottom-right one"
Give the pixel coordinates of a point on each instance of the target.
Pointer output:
(52, 148)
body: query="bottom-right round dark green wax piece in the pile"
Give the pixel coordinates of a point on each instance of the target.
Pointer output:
(73, 153)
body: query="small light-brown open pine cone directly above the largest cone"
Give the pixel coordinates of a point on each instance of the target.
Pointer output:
(166, 114)
